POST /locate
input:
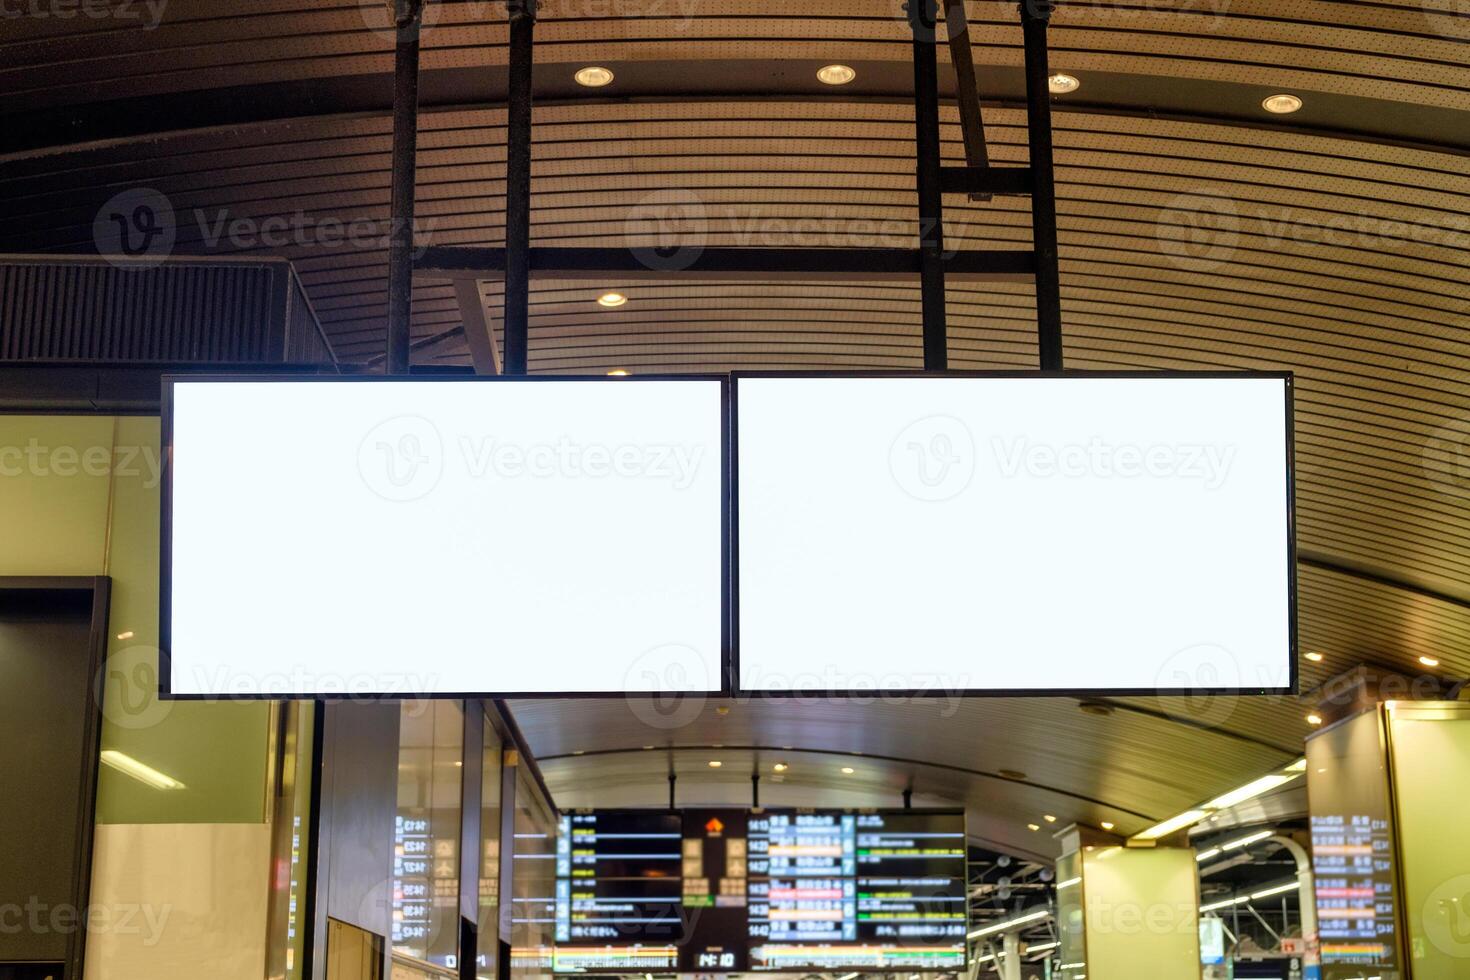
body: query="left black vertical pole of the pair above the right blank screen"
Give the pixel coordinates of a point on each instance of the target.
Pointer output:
(924, 21)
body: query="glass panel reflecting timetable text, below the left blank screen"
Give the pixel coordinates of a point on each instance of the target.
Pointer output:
(426, 863)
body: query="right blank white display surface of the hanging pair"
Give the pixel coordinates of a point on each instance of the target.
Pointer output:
(997, 534)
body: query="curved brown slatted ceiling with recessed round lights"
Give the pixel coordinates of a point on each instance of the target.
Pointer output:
(1197, 231)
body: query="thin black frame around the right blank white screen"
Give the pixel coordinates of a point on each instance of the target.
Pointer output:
(1288, 381)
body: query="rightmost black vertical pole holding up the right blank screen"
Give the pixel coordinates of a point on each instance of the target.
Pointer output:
(1034, 17)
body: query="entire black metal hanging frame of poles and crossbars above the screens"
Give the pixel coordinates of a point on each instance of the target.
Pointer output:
(520, 262)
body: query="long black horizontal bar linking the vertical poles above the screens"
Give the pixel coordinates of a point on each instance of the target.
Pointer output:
(761, 265)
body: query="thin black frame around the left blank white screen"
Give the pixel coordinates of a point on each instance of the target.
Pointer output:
(167, 530)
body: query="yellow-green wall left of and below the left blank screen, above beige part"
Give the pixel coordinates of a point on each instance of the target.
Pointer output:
(80, 496)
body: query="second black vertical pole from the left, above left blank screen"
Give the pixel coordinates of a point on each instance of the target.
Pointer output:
(518, 186)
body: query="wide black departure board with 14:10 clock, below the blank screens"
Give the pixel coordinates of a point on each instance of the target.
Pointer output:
(733, 891)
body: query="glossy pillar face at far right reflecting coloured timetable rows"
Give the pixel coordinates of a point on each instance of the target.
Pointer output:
(1353, 851)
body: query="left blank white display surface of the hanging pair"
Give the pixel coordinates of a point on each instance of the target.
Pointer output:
(446, 537)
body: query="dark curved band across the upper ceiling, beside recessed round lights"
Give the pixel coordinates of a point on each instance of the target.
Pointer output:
(49, 130)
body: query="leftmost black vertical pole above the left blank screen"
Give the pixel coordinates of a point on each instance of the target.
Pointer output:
(408, 17)
